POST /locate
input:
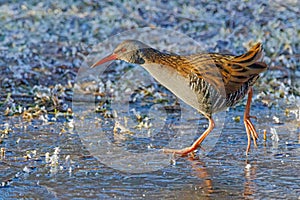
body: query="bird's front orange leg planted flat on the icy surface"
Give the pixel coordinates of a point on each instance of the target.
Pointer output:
(196, 144)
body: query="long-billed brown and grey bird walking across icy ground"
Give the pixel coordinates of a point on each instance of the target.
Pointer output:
(208, 82)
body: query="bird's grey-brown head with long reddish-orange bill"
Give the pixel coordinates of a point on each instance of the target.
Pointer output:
(129, 50)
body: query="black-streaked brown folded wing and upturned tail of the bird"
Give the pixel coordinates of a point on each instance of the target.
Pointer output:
(228, 71)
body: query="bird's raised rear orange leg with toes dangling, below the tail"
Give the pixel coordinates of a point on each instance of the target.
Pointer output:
(250, 129)
